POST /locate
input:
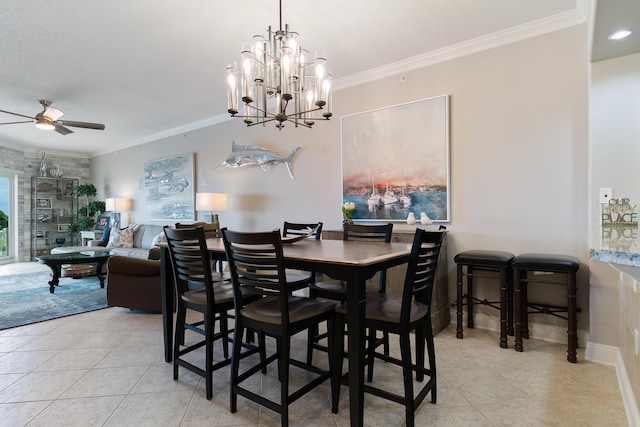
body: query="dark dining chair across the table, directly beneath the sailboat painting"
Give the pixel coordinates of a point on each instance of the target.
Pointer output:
(337, 290)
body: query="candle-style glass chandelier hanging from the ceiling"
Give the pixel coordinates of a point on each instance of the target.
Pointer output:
(278, 81)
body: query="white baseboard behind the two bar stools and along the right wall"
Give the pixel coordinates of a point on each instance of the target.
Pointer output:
(597, 353)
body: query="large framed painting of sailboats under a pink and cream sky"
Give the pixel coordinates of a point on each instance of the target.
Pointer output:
(395, 161)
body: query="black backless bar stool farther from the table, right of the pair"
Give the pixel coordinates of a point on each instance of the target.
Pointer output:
(564, 265)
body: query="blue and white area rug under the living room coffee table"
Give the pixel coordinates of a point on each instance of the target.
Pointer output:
(25, 298)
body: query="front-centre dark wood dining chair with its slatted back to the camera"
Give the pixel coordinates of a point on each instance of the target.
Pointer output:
(256, 262)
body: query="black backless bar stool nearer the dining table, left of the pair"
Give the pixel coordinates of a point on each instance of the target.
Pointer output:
(478, 262)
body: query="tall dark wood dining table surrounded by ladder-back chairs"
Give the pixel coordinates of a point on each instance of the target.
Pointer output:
(352, 262)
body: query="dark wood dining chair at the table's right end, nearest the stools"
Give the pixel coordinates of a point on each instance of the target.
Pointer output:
(400, 316)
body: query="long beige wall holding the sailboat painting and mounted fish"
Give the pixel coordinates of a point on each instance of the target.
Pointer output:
(518, 153)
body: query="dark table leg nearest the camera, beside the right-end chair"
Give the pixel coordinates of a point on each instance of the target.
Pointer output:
(356, 340)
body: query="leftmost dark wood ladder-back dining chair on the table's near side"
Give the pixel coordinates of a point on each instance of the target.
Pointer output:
(196, 290)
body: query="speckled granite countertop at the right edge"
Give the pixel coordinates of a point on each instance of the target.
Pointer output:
(616, 245)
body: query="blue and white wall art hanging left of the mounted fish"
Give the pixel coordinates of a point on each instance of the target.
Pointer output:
(169, 189)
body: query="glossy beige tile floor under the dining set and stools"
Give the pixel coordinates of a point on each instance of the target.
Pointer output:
(107, 368)
